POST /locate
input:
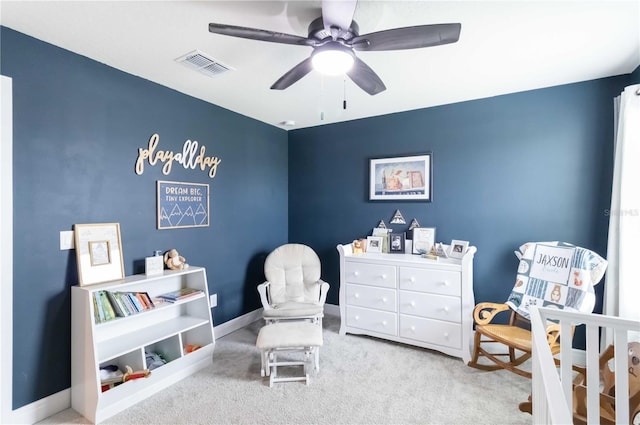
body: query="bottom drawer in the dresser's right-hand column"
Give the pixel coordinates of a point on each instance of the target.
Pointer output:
(431, 331)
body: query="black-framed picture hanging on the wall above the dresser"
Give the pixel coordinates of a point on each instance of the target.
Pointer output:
(401, 178)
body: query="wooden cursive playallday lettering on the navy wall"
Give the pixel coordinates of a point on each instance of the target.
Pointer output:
(190, 157)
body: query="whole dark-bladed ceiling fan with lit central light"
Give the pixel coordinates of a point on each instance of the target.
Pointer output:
(335, 36)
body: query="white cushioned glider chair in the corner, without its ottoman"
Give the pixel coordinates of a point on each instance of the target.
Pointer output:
(293, 289)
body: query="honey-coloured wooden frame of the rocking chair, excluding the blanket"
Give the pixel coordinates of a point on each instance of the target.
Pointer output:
(515, 337)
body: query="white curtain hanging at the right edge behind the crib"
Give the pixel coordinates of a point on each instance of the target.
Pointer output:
(622, 285)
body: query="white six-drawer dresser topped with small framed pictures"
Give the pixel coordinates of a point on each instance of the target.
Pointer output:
(408, 299)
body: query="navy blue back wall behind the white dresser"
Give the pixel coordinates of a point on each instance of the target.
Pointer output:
(528, 166)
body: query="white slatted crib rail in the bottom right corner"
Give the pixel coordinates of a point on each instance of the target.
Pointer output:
(552, 387)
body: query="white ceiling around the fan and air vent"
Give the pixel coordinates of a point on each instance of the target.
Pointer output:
(504, 47)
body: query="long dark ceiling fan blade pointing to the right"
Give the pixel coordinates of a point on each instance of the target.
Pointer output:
(408, 37)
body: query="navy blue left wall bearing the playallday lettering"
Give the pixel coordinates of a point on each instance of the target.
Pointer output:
(78, 125)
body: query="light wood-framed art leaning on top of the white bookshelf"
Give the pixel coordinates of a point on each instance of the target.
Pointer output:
(99, 252)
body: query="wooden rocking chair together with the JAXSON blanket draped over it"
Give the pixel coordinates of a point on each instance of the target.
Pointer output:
(550, 274)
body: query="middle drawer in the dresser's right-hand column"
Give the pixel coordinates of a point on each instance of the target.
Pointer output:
(441, 307)
